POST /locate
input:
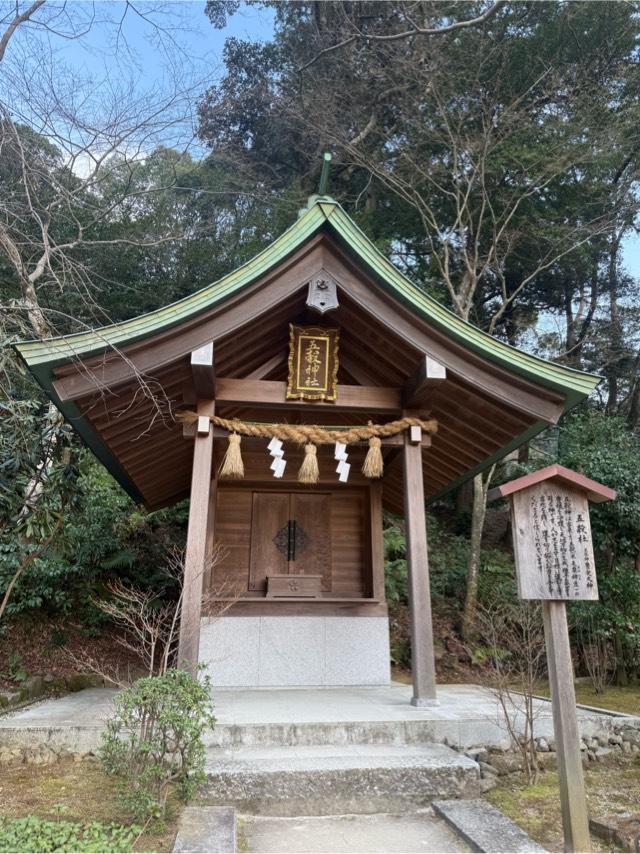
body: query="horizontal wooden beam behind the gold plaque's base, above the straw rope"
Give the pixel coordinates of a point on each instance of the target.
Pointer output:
(271, 393)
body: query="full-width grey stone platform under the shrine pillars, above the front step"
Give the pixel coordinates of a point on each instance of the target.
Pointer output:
(467, 716)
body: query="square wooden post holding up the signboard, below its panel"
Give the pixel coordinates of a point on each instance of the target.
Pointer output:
(575, 820)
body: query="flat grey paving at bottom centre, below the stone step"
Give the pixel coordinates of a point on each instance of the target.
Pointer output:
(351, 834)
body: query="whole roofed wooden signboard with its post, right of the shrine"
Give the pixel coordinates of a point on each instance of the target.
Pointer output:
(554, 563)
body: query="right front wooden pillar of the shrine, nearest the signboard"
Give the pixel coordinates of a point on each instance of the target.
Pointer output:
(423, 663)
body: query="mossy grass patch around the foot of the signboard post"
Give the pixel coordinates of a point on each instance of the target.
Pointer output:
(612, 787)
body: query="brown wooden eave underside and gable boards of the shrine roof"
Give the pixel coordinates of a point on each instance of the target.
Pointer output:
(481, 410)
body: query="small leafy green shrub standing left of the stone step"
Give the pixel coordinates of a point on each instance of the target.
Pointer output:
(154, 740)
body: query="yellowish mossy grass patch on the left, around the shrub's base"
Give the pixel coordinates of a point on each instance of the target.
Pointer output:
(76, 792)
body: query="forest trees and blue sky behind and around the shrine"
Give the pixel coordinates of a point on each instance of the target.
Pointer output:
(492, 150)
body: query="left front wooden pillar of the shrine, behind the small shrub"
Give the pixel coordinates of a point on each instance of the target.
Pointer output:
(195, 564)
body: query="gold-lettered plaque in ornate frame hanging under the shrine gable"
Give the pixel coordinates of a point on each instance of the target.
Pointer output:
(313, 363)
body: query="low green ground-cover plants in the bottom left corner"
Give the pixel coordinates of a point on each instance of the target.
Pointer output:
(35, 834)
